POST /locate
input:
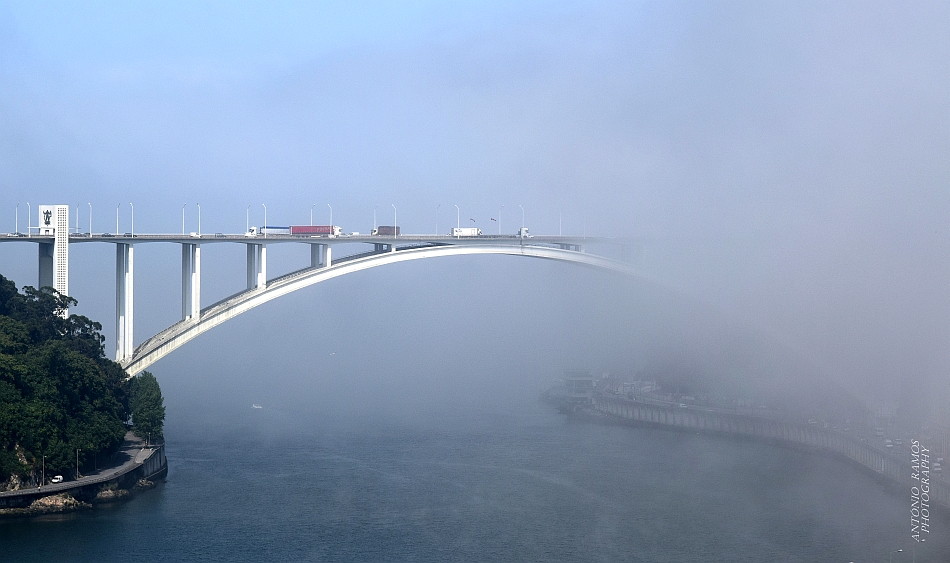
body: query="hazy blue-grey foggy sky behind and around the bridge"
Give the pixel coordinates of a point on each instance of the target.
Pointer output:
(783, 167)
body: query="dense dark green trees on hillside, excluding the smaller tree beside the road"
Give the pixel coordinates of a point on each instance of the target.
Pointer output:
(58, 391)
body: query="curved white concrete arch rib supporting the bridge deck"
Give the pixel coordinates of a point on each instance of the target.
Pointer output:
(261, 292)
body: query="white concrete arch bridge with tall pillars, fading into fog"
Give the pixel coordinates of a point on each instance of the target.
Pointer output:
(53, 240)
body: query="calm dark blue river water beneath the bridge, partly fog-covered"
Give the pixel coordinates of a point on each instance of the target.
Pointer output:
(519, 483)
